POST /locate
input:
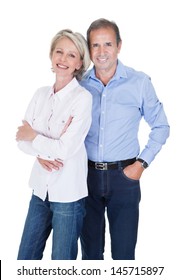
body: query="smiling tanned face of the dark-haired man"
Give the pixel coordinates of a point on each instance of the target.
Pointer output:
(104, 49)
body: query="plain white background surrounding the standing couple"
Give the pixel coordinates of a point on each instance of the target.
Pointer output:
(150, 35)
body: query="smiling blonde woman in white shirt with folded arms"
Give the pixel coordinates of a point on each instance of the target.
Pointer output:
(56, 123)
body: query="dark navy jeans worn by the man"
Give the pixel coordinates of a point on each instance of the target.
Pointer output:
(110, 190)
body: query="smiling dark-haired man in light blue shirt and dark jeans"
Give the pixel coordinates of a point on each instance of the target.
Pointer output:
(121, 97)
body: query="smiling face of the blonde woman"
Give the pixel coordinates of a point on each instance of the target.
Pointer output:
(65, 58)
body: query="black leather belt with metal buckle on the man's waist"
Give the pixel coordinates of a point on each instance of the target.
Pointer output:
(110, 165)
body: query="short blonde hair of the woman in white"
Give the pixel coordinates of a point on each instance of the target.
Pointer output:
(81, 45)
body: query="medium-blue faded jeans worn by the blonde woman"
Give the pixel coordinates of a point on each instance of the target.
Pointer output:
(65, 219)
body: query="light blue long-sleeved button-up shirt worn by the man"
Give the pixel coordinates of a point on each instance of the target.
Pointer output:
(117, 111)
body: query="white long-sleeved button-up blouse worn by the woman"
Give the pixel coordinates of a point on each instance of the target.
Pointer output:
(62, 121)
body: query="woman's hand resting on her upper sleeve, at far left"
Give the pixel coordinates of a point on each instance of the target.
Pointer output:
(25, 132)
